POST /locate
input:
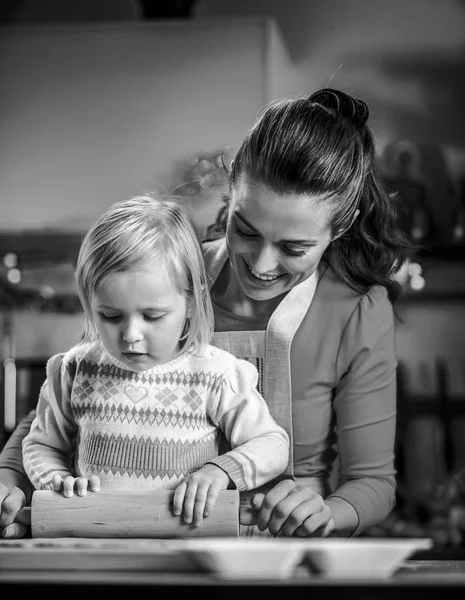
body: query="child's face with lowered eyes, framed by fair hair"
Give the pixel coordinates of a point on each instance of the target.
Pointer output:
(140, 316)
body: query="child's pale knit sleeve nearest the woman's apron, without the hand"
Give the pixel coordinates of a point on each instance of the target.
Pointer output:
(259, 446)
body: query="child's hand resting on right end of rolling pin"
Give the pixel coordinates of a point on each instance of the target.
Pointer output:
(198, 492)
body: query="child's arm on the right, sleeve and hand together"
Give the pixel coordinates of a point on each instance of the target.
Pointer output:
(260, 448)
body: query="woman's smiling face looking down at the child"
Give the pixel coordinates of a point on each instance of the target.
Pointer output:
(274, 242)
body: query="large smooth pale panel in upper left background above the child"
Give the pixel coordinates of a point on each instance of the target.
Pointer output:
(93, 113)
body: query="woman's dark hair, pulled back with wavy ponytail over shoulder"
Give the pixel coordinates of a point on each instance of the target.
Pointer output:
(321, 145)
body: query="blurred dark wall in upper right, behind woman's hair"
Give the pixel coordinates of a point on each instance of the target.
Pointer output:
(406, 59)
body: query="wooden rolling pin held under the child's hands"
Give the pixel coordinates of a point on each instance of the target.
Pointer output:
(124, 514)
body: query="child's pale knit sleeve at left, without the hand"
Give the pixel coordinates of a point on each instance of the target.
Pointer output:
(48, 447)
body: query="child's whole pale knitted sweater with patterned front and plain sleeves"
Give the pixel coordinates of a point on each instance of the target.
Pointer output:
(149, 430)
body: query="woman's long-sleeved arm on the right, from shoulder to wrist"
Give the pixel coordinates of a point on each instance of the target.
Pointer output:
(365, 409)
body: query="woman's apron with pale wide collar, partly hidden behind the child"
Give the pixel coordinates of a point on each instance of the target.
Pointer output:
(270, 352)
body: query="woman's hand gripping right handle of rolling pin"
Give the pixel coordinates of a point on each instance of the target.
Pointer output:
(290, 509)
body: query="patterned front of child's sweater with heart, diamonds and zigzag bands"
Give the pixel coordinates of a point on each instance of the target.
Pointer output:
(147, 409)
